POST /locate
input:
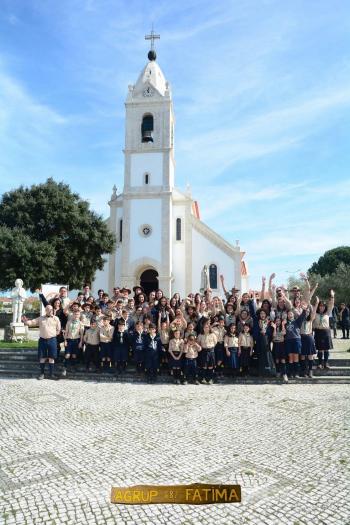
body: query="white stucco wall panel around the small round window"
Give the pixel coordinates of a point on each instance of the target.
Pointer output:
(147, 211)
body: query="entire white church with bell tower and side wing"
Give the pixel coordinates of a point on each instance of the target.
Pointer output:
(161, 240)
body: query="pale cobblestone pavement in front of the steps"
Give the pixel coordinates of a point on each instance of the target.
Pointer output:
(64, 444)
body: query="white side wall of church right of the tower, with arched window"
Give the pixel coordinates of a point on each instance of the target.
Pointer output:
(205, 252)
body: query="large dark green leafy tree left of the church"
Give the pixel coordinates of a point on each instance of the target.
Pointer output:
(49, 234)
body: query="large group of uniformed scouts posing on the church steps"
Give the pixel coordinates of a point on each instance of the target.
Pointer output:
(198, 339)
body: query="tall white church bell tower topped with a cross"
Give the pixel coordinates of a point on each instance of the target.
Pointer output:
(144, 221)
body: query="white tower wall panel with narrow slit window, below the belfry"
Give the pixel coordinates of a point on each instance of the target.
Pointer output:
(142, 163)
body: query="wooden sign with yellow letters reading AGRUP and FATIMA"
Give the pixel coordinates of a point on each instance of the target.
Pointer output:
(194, 494)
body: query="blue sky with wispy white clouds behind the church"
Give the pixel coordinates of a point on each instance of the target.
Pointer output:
(261, 92)
